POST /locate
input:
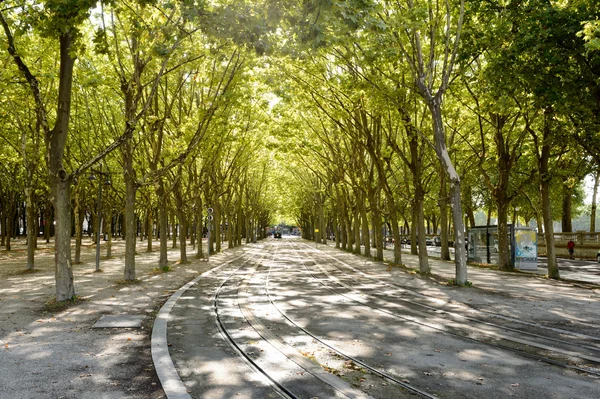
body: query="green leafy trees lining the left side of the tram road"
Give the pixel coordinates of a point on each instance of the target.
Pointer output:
(156, 96)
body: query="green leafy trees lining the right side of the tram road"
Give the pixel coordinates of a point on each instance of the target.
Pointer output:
(519, 84)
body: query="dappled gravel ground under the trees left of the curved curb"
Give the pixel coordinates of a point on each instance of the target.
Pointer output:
(47, 352)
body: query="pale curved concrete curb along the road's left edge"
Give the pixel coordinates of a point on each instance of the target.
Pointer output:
(163, 364)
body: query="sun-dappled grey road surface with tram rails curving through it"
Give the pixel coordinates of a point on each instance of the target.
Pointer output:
(291, 320)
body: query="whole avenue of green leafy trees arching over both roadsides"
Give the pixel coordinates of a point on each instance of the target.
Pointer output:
(348, 118)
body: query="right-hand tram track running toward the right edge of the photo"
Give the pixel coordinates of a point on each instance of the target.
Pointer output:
(441, 324)
